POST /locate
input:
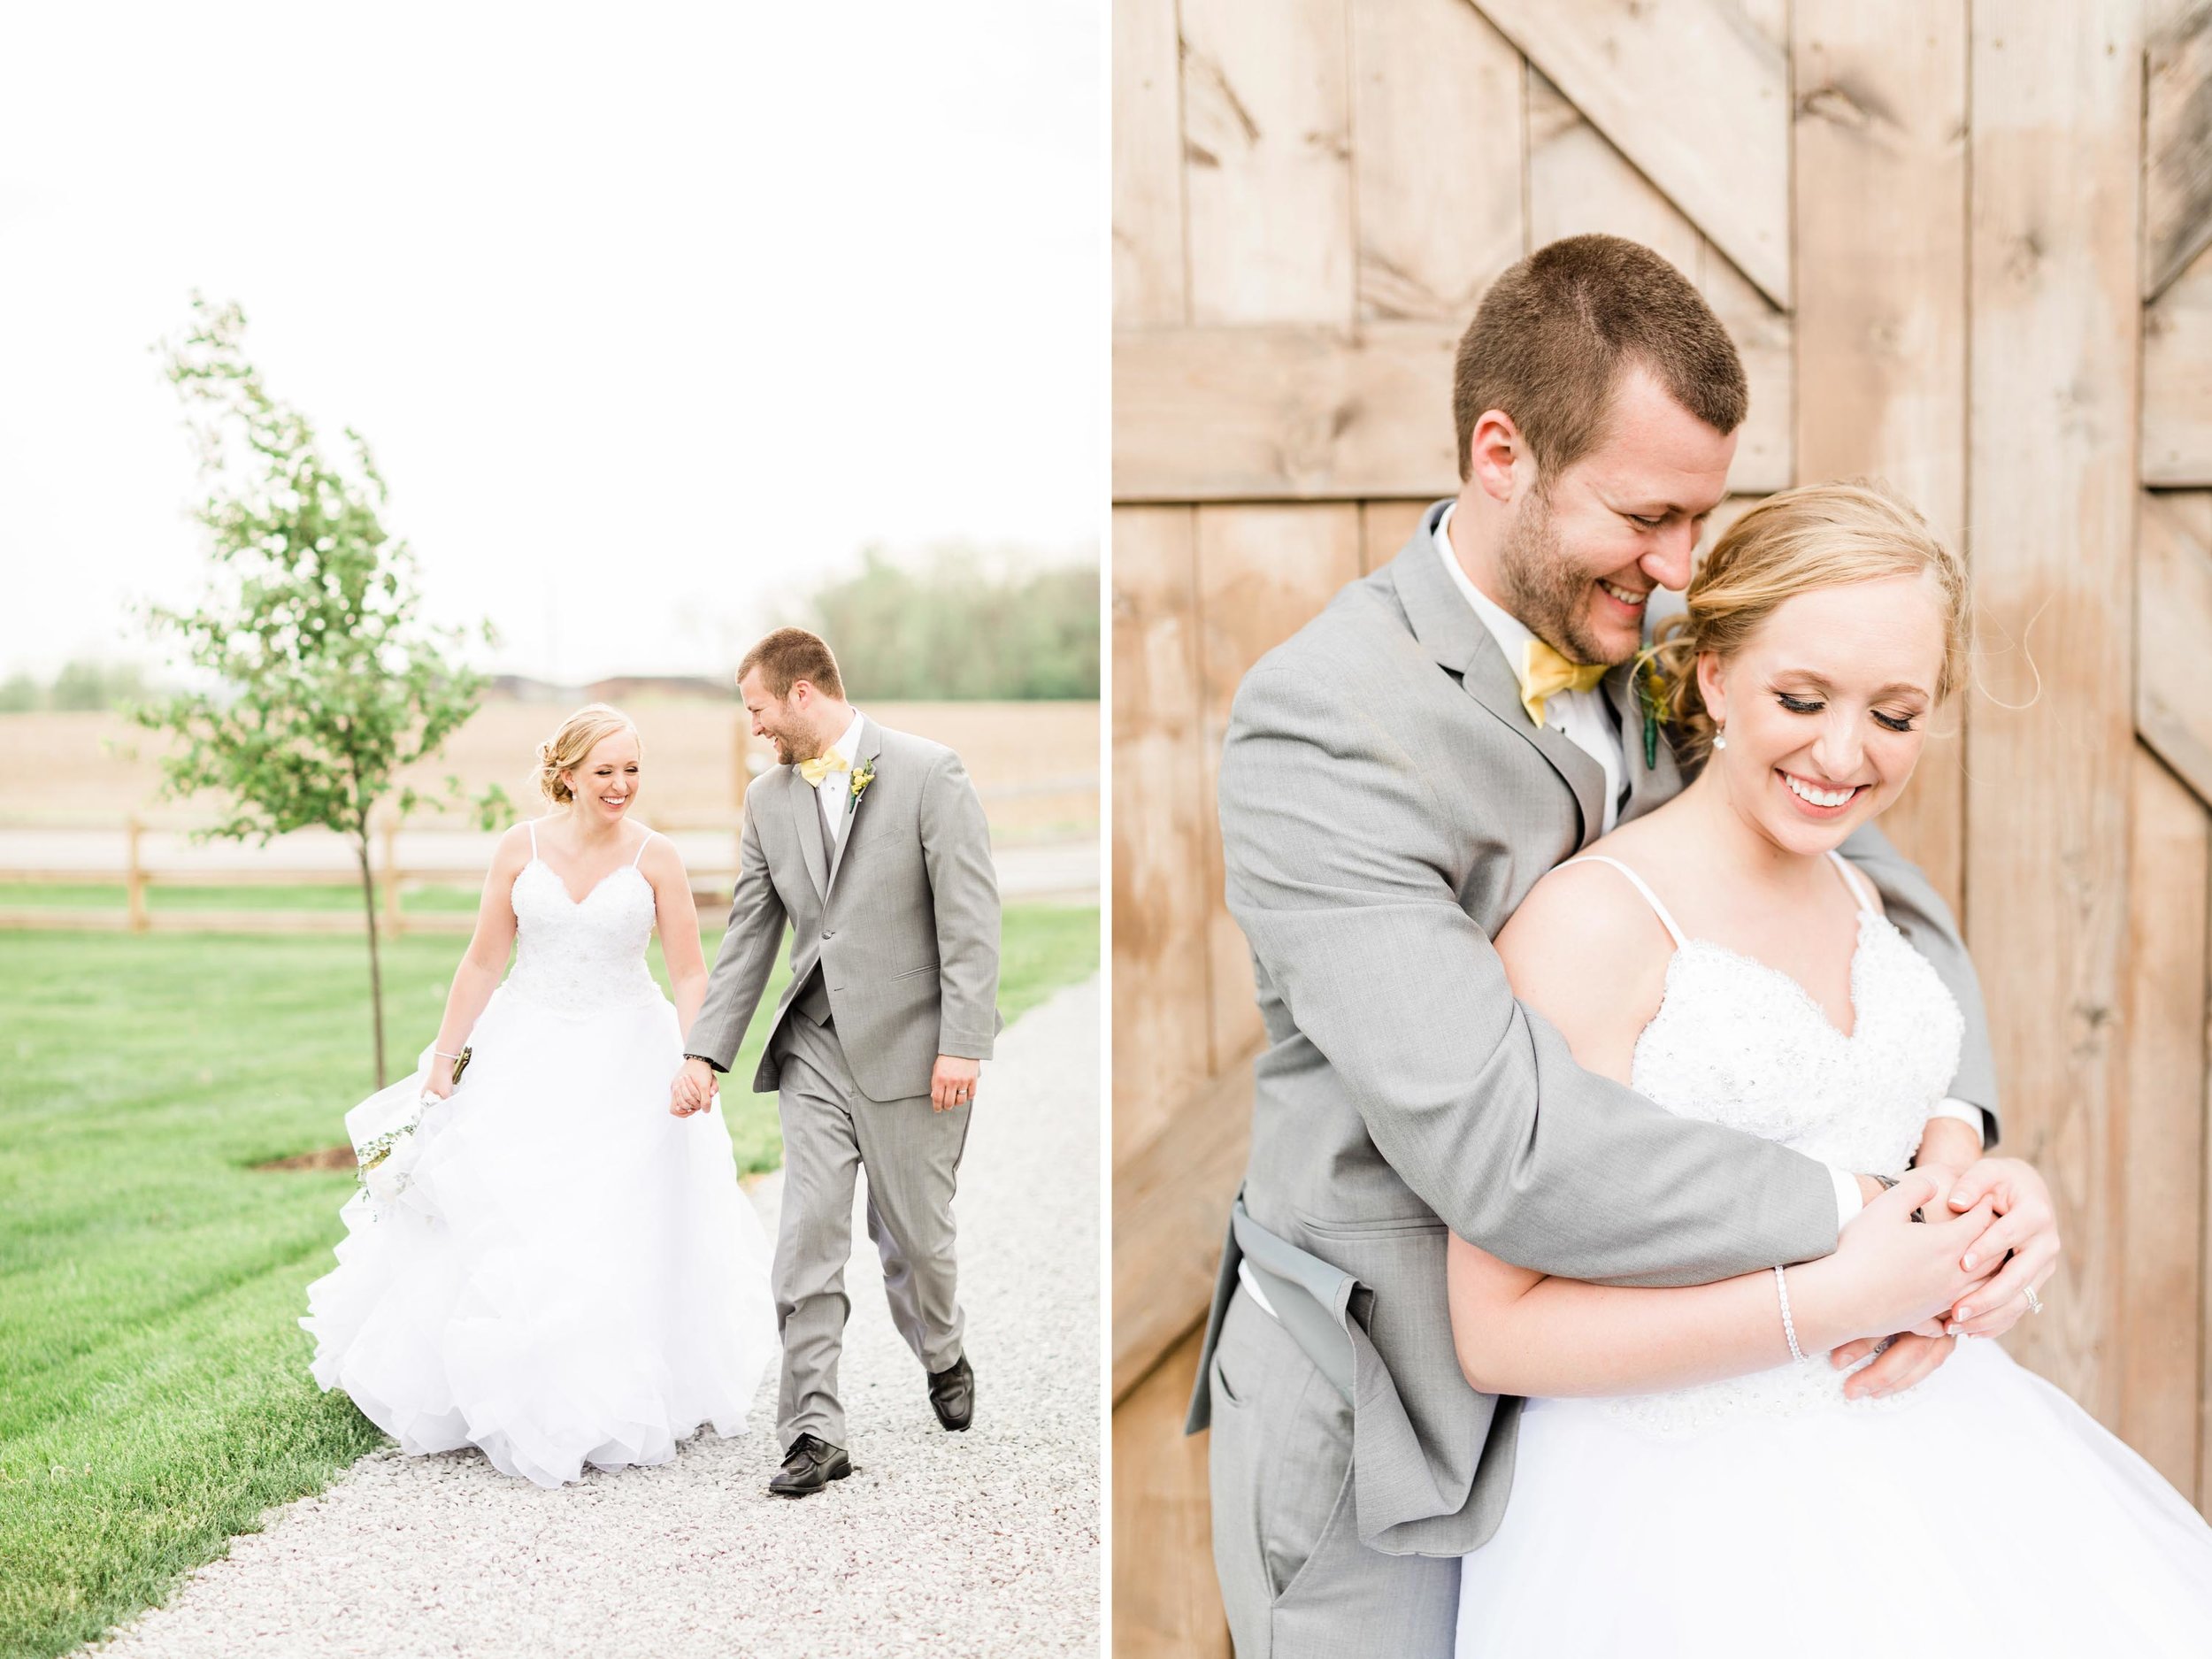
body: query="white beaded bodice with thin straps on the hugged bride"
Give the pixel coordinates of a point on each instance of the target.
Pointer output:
(1744, 1045)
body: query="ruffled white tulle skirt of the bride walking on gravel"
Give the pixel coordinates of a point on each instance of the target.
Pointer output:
(572, 1275)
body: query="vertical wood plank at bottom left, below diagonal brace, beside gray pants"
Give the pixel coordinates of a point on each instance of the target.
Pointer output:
(1165, 1596)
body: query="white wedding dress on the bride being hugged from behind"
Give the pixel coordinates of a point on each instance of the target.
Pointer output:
(1976, 1514)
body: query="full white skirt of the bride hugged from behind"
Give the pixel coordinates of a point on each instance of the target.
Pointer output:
(1976, 1514)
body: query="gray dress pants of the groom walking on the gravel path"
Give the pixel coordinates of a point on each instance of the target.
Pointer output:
(912, 1158)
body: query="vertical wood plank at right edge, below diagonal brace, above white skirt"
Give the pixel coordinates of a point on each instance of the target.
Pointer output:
(2164, 1196)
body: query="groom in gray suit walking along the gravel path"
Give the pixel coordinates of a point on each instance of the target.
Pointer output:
(875, 851)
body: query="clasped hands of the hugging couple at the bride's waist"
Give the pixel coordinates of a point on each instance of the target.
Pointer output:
(1992, 1242)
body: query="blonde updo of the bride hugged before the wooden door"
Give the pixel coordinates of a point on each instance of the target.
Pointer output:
(1819, 536)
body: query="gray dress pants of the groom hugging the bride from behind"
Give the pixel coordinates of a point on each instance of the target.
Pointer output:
(1295, 1578)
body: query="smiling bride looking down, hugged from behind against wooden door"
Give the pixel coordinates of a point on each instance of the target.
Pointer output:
(1693, 1470)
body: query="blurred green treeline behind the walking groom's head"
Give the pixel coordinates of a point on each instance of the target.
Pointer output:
(959, 632)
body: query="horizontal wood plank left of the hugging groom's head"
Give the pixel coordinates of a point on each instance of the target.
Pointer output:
(1284, 415)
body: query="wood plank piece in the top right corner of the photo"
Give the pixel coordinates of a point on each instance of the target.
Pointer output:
(2178, 140)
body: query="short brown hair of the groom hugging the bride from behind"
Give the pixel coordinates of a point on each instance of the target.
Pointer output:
(1554, 335)
